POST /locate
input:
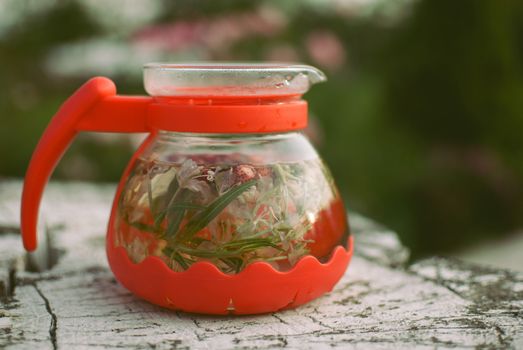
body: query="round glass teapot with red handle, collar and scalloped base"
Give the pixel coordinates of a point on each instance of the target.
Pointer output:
(225, 207)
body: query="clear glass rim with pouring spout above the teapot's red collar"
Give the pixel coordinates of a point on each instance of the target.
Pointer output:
(229, 79)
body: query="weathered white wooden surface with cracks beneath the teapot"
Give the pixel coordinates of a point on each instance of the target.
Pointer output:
(380, 303)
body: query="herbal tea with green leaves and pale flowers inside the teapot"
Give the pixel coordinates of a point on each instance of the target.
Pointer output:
(227, 211)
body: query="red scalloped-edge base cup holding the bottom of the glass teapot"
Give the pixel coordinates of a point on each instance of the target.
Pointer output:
(259, 288)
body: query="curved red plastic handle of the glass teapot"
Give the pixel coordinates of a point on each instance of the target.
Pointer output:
(93, 107)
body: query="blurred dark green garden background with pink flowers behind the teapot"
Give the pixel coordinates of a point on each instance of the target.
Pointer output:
(421, 119)
